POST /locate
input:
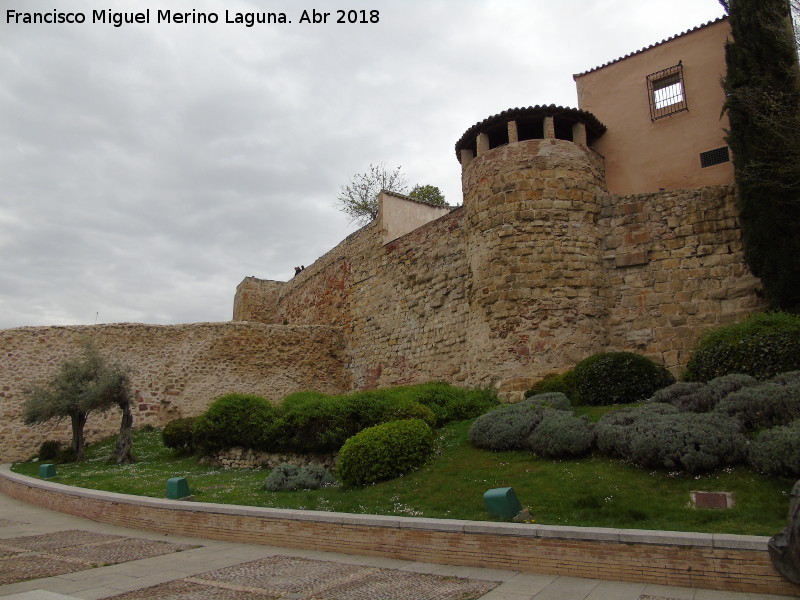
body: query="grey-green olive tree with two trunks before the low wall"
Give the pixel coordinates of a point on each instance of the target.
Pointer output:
(83, 384)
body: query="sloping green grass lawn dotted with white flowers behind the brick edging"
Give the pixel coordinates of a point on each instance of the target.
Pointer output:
(593, 491)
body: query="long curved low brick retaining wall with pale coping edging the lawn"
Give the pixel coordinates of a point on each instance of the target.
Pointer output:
(714, 561)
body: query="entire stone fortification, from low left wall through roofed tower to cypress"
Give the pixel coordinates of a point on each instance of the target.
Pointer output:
(538, 269)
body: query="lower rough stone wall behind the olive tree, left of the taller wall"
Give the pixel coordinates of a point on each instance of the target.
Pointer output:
(178, 370)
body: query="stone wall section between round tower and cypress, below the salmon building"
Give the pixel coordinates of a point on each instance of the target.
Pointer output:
(674, 268)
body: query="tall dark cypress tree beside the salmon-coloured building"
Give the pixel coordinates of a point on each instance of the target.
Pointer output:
(763, 104)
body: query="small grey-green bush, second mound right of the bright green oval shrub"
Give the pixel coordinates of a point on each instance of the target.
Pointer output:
(561, 435)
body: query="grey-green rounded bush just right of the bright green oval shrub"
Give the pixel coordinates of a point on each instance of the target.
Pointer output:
(507, 427)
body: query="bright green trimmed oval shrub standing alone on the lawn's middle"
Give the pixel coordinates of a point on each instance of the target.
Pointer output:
(385, 451)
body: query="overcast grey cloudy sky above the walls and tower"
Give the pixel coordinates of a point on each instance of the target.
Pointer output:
(146, 169)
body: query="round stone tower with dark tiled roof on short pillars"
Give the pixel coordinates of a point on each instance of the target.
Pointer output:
(532, 193)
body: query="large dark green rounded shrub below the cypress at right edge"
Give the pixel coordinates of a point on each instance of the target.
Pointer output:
(762, 346)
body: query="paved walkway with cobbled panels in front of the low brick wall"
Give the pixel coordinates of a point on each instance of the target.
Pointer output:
(63, 551)
